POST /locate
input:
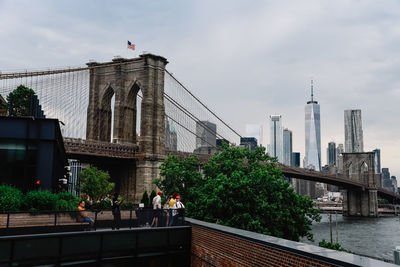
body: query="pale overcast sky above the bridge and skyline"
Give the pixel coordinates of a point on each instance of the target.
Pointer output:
(245, 59)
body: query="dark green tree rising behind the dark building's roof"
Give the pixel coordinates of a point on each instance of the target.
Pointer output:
(20, 100)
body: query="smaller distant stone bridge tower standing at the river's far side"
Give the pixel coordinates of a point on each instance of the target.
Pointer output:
(361, 167)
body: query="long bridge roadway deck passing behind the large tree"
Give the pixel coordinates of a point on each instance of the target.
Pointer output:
(82, 149)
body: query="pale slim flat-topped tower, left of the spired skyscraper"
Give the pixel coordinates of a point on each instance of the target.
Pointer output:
(275, 137)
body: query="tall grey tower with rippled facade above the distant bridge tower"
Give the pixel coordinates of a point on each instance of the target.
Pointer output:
(353, 134)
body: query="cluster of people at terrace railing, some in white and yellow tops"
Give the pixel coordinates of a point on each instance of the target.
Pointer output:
(173, 210)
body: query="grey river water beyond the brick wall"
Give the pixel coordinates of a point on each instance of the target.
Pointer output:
(375, 237)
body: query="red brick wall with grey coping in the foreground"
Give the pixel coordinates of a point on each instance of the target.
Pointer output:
(217, 245)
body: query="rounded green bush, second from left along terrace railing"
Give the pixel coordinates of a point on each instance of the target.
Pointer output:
(40, 200)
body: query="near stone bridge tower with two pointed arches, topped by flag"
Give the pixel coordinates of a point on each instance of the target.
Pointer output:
(124, 78)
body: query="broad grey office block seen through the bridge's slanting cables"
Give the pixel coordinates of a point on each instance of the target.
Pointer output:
(206, 137)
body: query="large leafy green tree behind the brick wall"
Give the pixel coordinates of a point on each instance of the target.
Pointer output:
(243, 189)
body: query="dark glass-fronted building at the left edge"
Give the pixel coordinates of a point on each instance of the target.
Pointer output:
(32, 153)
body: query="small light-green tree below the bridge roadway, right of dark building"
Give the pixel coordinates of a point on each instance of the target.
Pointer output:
(95, 183)
